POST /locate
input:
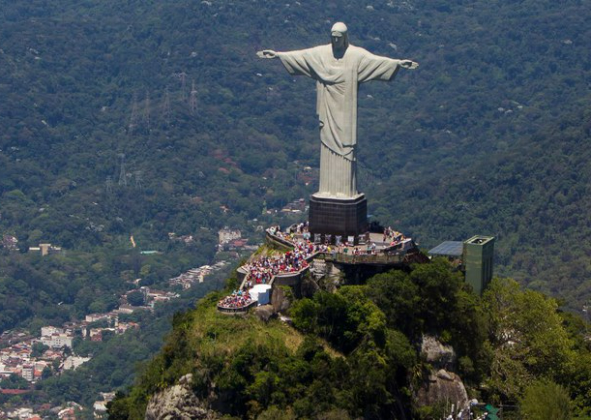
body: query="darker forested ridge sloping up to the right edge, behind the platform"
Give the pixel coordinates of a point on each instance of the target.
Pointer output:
(534, 197)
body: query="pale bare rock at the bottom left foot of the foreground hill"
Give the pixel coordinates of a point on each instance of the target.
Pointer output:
(178, 403)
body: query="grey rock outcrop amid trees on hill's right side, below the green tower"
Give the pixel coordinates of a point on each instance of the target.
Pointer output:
(441, 384)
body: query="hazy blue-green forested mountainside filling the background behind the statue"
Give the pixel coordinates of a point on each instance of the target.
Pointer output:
(488, 136)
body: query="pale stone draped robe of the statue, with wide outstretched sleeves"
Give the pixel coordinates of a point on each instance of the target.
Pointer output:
(337, 81)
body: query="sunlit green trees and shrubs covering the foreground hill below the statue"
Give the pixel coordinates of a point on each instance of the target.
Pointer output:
(354, 353)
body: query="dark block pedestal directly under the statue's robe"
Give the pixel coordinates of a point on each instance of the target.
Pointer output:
(338, 216)
